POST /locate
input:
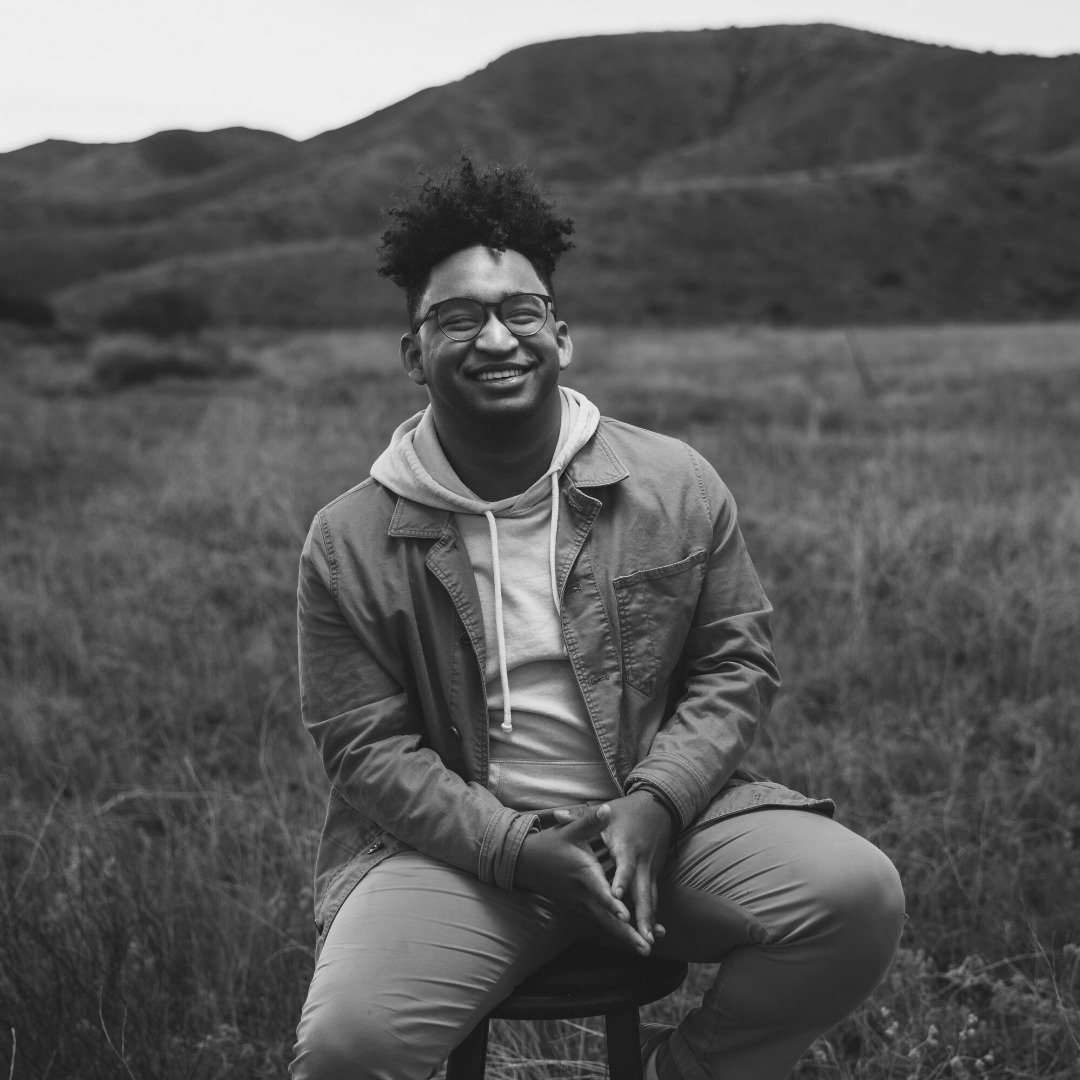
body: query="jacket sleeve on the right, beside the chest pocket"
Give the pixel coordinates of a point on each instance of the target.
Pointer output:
(726, 672)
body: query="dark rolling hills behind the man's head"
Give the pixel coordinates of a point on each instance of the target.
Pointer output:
(812, 174)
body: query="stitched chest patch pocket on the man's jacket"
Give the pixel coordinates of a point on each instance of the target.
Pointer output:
(656, 609)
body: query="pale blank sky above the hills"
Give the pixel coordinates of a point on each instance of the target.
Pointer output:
(117, 71)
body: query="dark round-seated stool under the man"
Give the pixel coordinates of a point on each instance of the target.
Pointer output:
(584, 980)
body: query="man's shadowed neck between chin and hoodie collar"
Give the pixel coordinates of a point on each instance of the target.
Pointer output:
(502, 462)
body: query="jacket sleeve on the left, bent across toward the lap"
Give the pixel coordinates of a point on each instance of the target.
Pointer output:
(370, 737)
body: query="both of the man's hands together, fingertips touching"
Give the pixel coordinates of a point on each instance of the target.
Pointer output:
(560, 863)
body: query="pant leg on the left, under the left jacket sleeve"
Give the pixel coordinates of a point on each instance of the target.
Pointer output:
(418, 953)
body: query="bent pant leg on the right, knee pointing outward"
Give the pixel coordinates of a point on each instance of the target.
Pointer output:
(805, 917)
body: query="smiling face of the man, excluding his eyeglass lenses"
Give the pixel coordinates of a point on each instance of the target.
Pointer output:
(496, 377)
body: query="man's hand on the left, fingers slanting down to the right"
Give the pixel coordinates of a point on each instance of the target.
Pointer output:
(560, 865)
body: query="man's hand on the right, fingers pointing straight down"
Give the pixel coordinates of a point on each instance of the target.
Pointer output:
(638, 836)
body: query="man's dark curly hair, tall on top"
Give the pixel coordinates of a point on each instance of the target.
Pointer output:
(498, 208)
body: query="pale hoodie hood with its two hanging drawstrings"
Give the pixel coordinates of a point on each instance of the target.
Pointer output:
(414, 466)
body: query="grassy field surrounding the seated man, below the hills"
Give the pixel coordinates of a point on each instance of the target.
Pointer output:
(912, 501)
